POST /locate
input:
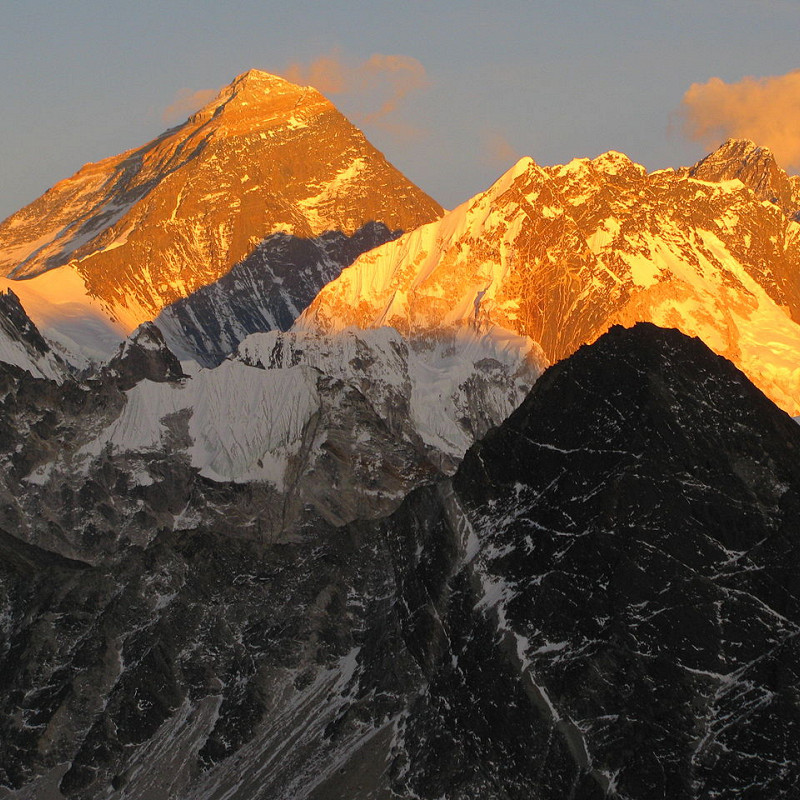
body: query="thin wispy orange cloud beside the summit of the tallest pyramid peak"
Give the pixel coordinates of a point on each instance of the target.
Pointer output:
(380, 83)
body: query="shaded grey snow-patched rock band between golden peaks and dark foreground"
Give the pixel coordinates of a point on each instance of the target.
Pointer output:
(340, 426)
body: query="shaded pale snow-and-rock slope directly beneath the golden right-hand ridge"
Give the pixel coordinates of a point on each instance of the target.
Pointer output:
(450, 386)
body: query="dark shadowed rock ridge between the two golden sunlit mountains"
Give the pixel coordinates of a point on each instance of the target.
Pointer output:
(266, 291)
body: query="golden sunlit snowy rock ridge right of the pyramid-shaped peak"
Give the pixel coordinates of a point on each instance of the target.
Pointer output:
(559, 254)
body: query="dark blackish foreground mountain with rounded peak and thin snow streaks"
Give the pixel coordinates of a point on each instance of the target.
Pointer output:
(603, 601)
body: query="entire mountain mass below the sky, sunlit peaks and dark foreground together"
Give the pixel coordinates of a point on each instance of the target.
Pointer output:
(281, 517)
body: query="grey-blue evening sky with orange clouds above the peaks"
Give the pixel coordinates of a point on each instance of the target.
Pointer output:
(452, 92)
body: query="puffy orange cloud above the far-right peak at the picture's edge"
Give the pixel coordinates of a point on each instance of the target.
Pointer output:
(766, 110)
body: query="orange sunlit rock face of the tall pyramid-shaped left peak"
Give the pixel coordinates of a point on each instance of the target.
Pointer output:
(154, 224)
